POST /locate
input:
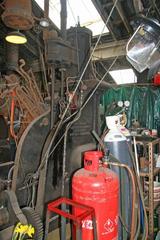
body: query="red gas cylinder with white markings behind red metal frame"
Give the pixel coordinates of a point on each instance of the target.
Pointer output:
(97, 187)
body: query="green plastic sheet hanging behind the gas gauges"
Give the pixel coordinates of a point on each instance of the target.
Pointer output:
(144, 104)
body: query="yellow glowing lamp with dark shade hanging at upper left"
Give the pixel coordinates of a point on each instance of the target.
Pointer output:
(16, 37)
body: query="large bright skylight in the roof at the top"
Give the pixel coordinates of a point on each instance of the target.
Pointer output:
(78, 10)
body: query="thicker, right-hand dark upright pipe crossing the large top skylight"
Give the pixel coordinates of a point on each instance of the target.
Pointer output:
(64, 19)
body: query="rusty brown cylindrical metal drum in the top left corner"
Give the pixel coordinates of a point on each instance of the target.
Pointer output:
(18, 14)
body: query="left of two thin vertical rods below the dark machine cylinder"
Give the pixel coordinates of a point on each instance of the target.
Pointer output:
(52, 96)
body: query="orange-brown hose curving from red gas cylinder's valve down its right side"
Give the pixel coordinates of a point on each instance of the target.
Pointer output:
(133, 194)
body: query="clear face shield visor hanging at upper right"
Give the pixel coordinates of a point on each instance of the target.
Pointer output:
(143, 47)
